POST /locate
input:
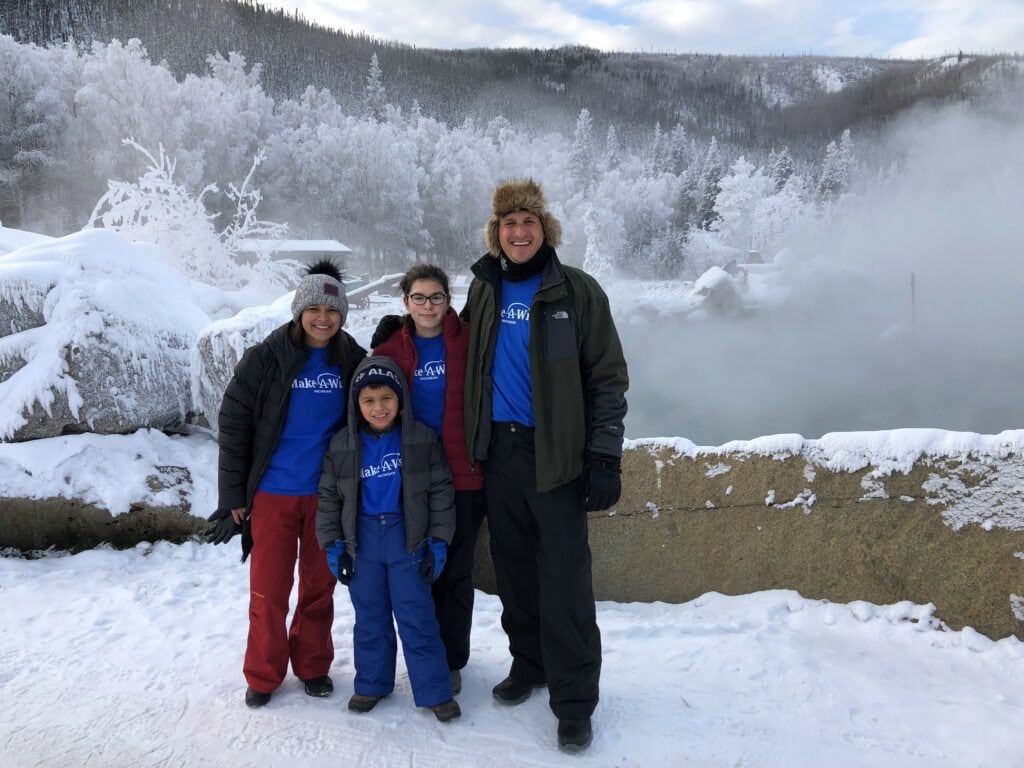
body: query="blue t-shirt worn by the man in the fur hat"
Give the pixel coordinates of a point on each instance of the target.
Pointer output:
(514, 398)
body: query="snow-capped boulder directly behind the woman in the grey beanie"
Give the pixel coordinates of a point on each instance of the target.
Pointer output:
(221, 347)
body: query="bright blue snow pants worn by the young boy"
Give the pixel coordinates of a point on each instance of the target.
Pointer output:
(387, 582)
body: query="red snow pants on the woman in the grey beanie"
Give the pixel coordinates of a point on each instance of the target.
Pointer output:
(282, 528)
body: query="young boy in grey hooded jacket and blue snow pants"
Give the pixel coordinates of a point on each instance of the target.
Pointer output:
(387, 515)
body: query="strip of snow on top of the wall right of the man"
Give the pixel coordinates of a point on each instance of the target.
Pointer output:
(888, 451)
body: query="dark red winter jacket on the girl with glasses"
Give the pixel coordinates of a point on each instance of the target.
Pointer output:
(402, 349)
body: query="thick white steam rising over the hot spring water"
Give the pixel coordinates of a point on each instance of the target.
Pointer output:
(848, 351)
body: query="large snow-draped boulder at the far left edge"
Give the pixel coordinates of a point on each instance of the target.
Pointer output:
(96, 335)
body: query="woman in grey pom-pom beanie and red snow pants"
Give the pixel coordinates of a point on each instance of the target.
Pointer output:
(285, 403)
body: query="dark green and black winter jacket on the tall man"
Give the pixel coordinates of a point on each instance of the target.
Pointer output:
(577, 364)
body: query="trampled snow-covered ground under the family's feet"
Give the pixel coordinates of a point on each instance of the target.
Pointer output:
(134, 659)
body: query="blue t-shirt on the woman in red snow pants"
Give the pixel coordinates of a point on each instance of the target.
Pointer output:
(315, 414)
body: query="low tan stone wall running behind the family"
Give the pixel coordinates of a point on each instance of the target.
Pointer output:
(943, 531)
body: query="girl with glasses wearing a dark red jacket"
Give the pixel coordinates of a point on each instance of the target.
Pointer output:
(431, 349)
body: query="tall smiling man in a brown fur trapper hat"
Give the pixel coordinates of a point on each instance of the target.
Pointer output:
(545, 403)
